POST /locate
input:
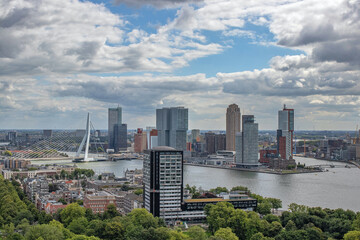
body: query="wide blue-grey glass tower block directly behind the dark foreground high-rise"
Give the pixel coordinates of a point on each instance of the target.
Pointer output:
(172, 126)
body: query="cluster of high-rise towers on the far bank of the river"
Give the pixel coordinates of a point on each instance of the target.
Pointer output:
(238, 145)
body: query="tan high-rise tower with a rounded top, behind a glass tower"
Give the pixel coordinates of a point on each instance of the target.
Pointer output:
(232, 125)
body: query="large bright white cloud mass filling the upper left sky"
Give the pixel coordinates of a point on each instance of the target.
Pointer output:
(77, 36)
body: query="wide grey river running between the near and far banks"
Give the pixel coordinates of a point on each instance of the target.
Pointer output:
(337, 188)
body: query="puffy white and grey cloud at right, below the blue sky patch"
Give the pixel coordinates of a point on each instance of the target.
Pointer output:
(296, 75)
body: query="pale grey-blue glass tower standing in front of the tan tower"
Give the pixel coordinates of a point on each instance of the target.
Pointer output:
(247, 147)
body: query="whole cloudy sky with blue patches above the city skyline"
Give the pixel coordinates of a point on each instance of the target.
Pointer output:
(62, 59)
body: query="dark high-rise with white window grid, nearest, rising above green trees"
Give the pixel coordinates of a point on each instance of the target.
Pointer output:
(163, 182)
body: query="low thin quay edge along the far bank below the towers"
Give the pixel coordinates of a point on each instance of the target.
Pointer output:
(269, 171)
